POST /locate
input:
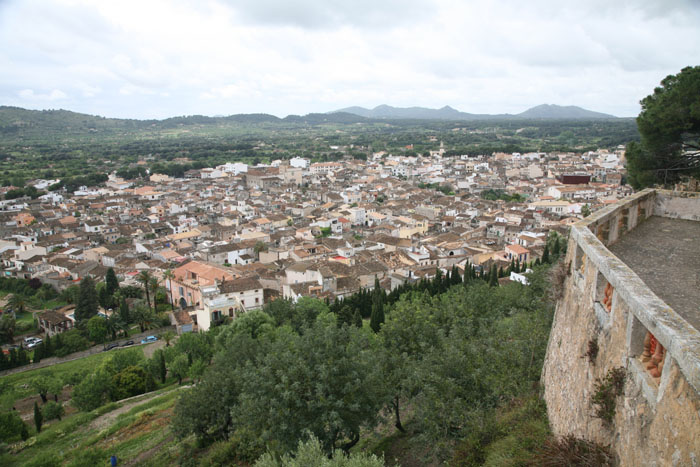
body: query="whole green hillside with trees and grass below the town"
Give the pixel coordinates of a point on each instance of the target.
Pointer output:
(444, 370)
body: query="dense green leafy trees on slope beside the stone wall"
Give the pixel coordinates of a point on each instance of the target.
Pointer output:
(445, 362)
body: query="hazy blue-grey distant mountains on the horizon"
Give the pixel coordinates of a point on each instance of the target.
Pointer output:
(544, 111)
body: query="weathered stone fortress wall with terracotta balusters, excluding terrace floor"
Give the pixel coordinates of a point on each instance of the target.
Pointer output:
(657, 419)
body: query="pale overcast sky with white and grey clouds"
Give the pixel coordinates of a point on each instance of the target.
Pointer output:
(156, 59)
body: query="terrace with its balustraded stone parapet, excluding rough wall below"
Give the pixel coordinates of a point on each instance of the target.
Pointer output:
(640, 261)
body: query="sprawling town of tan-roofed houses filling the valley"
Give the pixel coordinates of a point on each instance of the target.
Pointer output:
(237, 236)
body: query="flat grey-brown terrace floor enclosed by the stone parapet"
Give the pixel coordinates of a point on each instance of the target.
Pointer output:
(665, 254)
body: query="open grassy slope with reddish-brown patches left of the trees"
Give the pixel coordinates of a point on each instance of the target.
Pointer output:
(135, 430)
